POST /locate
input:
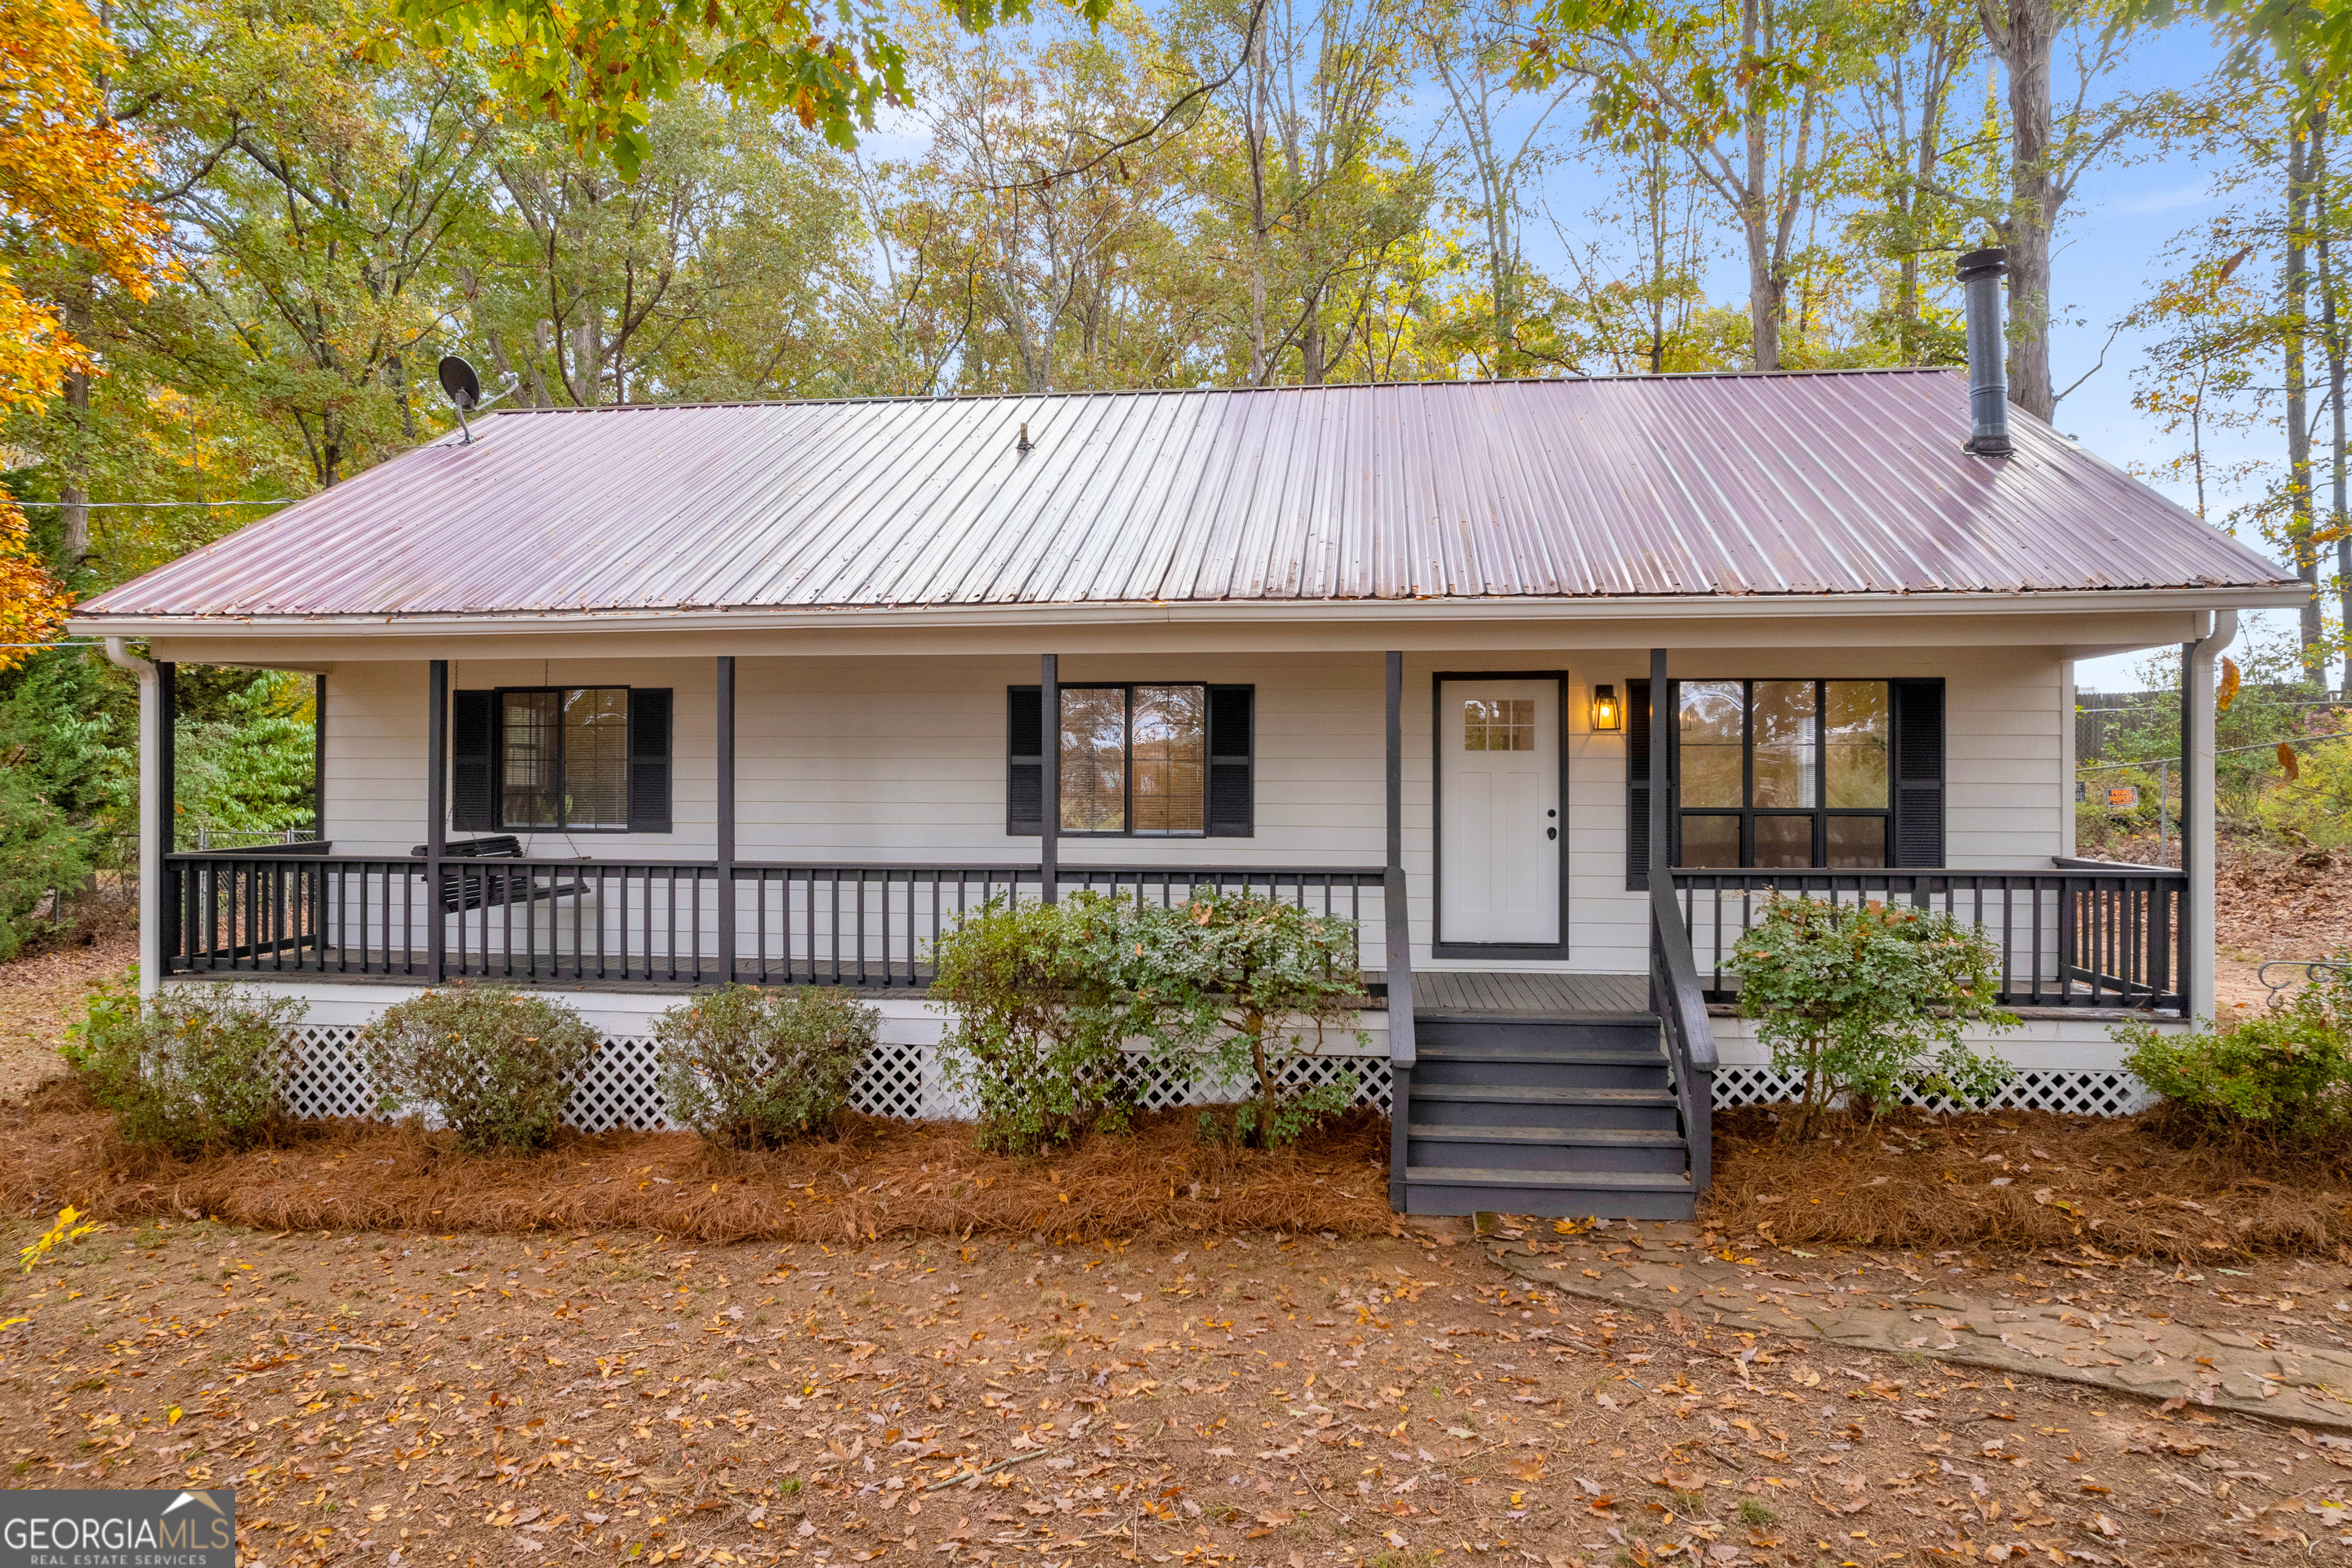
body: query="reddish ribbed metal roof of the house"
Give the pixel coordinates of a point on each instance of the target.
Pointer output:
(1655, 485)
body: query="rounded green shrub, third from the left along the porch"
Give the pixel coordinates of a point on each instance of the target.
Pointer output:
(749, 1068)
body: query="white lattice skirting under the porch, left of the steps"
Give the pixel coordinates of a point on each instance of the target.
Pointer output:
(622, 1087)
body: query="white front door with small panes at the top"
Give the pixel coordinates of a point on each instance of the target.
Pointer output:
(1499, 812)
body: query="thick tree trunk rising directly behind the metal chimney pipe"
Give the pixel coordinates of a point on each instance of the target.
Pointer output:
(2024, 34)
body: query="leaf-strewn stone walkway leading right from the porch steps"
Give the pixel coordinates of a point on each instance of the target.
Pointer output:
(1664, 1271)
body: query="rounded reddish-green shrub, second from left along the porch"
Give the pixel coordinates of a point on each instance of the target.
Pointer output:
(500, 1064)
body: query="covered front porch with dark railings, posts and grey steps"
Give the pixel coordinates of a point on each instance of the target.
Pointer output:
(1546, 996)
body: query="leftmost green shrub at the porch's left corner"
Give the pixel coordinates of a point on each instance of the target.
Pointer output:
(196, 1068)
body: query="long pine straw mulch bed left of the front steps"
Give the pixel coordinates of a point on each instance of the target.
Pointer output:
(864, 1179)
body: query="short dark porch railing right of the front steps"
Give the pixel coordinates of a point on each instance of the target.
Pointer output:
(2078, 934)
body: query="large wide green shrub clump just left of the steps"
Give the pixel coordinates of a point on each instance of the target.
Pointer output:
(1231, 986)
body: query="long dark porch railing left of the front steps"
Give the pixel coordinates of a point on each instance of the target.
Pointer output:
(648, 923)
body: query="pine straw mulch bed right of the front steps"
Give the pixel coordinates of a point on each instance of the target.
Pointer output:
(2024, 1181)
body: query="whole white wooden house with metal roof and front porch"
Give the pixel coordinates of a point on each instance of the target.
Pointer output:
(763, 692)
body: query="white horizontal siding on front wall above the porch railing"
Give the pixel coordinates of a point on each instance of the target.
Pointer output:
(902, 760)
